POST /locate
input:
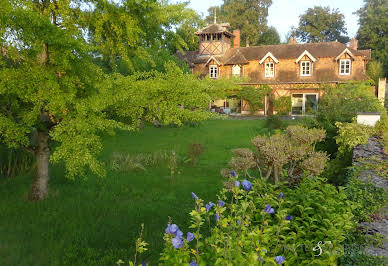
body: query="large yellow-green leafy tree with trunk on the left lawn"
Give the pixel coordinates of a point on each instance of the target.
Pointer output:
(51, 90)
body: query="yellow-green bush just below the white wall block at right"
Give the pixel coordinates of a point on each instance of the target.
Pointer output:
(352, 134)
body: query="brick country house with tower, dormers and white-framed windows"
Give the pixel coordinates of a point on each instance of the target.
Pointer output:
(295, 70)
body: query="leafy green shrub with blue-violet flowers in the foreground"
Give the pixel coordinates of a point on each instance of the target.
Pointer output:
(320, 213)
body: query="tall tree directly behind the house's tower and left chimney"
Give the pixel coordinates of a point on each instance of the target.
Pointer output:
(248, 16)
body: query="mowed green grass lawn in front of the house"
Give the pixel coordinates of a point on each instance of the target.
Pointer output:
(96, 221)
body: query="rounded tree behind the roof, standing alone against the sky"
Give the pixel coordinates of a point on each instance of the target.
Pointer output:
(319, 24)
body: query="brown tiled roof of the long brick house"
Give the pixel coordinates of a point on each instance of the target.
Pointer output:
(286, 51)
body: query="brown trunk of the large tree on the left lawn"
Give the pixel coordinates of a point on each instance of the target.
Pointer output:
(39, 188)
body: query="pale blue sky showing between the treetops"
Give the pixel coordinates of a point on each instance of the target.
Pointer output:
(283, 14)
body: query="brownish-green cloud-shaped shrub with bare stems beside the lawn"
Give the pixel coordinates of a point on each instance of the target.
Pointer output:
(283, 155)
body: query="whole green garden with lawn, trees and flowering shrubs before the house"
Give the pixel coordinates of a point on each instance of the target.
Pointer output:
(109, 154)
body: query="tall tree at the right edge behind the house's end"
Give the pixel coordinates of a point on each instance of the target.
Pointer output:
(372, 33)
